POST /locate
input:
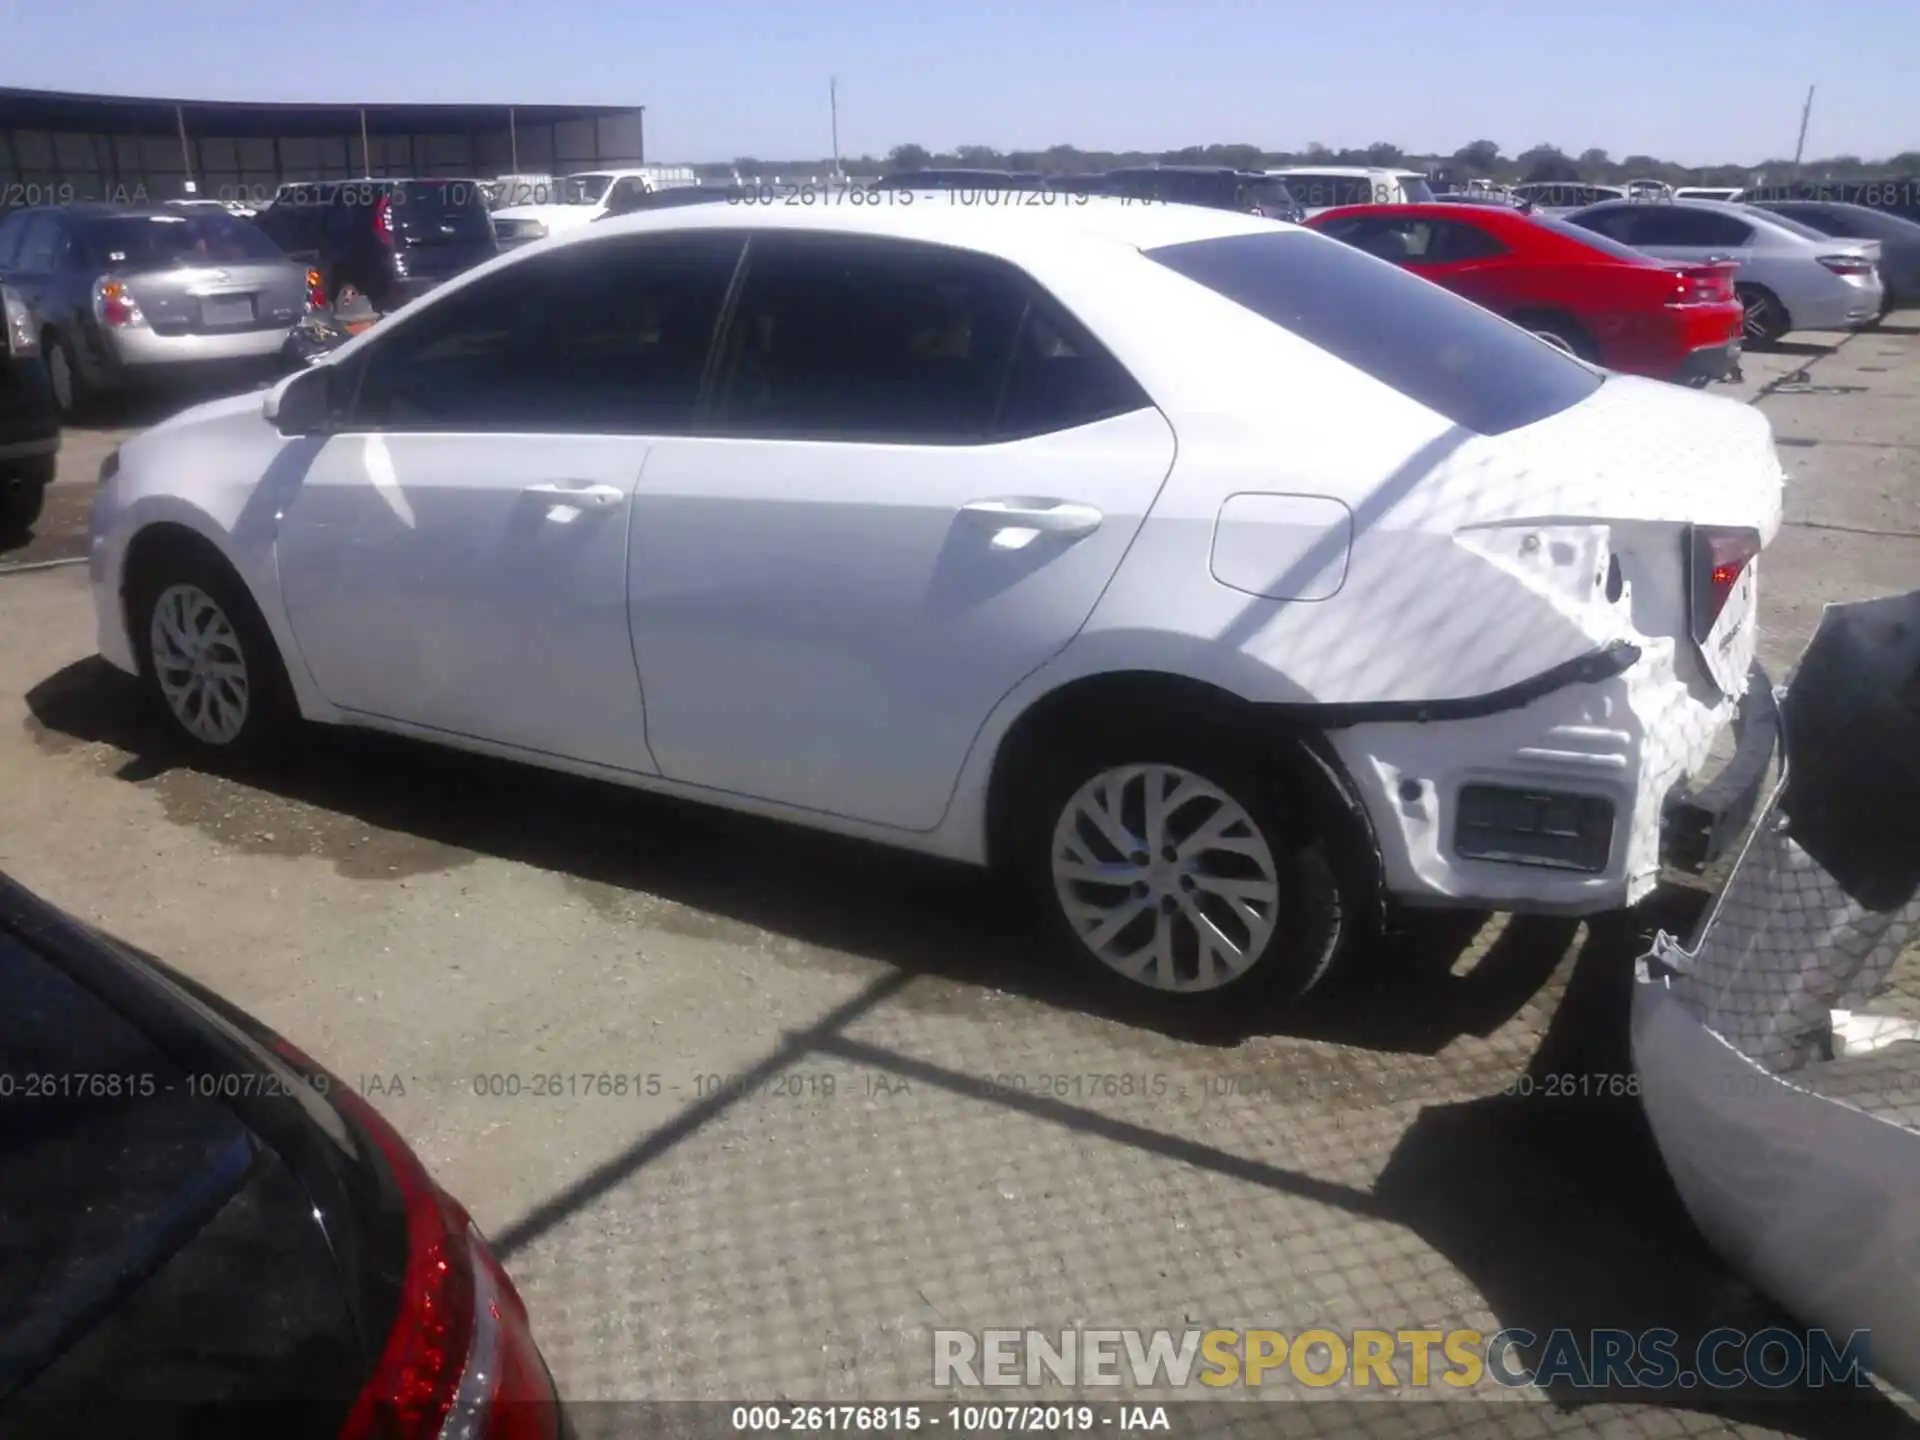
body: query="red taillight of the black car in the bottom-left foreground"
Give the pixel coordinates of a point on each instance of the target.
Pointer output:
(462, 1345)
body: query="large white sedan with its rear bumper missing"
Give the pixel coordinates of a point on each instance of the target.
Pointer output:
(1220, 577)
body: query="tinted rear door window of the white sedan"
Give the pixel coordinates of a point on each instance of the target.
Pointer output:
(842, 339)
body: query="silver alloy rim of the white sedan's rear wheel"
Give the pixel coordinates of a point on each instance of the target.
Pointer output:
(1166, 878)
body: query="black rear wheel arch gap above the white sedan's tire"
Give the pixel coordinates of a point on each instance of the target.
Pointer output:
(1291, 744)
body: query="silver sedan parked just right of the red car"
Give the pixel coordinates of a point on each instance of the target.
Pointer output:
(1790, 276)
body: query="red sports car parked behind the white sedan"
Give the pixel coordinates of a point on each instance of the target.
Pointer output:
(1585, 293)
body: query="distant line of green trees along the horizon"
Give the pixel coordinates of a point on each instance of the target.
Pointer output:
(1483, 158)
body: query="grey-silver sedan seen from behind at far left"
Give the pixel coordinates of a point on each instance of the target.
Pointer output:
(137, 297)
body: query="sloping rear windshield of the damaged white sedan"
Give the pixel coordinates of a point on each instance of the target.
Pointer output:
(1429, 345)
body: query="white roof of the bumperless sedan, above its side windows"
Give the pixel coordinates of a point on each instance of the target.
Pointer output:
(934, 218)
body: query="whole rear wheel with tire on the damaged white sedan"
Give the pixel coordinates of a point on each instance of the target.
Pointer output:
(1178, 871)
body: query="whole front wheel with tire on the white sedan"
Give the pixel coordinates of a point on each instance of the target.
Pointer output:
(208, 660)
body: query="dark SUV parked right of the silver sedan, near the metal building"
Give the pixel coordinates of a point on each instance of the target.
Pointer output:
(393, 241)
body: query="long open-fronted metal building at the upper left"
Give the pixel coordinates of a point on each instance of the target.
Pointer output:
(57, 149)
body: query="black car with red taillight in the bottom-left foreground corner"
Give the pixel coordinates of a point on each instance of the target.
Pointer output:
(208, 1234)
